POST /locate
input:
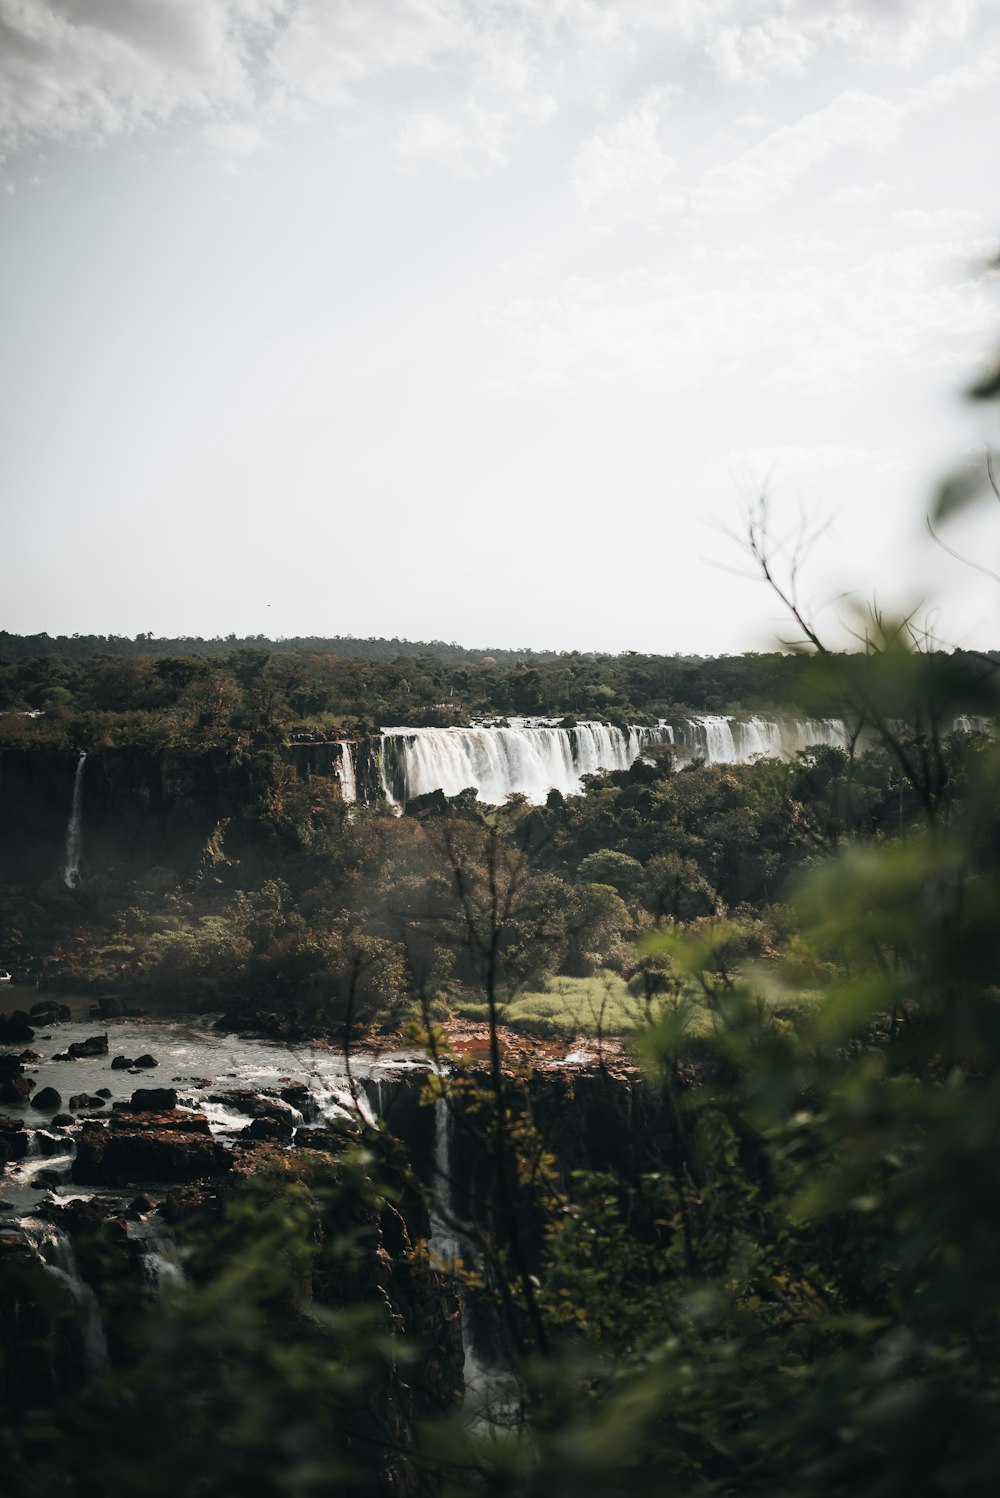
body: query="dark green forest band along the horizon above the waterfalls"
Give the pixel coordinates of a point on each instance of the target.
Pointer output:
(155, 697)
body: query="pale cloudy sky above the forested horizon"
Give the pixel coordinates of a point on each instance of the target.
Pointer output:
(487, 321)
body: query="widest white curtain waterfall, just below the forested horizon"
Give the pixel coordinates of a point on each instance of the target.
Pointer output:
(534, 759)
